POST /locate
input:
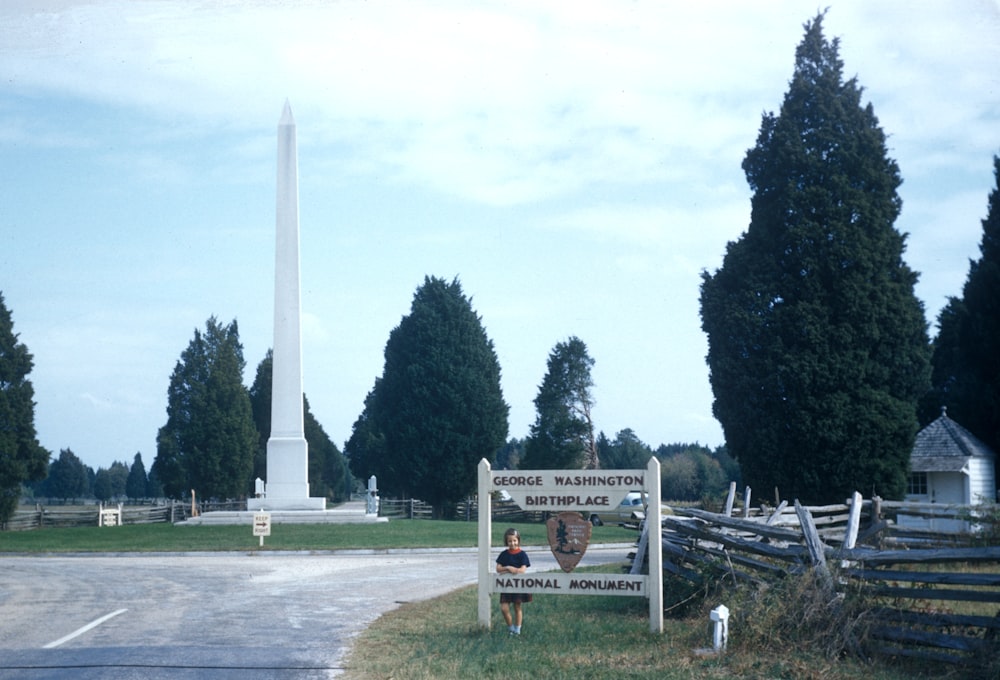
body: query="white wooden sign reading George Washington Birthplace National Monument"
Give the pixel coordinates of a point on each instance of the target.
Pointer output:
(571, 491)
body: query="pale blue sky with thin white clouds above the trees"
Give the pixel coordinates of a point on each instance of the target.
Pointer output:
(575, 165)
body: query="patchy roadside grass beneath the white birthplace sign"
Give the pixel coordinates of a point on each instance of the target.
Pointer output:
(579, 637)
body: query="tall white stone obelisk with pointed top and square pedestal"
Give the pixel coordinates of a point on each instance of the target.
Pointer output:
(287, 451)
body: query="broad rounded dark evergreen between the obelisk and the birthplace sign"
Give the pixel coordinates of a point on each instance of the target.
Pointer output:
(438, 409)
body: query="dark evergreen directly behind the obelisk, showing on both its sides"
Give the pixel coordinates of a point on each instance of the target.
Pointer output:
(327, 468)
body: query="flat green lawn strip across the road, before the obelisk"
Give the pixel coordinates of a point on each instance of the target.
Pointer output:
(378, 536)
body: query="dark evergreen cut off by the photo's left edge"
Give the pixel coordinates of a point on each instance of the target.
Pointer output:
(22, 459)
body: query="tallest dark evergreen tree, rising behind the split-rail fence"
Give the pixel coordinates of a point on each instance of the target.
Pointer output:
(817, 343)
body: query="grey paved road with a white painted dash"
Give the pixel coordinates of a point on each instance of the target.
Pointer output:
(246, 616)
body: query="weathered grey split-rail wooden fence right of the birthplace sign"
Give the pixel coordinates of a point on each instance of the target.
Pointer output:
(915, 578)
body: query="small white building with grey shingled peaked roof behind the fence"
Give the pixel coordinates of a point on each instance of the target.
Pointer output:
(949, 465)
